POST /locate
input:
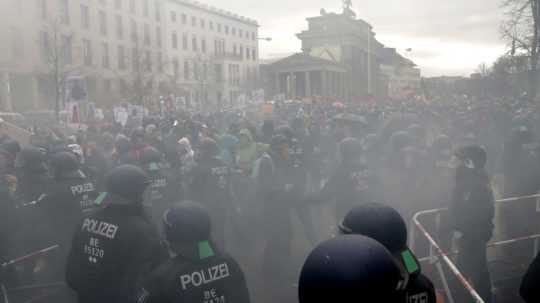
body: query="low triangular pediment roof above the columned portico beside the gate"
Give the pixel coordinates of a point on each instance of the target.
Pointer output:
(305, 61)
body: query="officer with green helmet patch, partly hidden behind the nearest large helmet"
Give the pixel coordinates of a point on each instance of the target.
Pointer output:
(385, 224)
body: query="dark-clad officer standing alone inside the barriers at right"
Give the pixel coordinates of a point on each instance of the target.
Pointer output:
(471, 214)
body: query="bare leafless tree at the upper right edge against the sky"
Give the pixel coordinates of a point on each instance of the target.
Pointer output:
(521, 30)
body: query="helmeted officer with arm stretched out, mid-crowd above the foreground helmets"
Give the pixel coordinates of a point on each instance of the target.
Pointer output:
(352, 183)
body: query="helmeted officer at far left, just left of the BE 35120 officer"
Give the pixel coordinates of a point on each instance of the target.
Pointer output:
(63, 203)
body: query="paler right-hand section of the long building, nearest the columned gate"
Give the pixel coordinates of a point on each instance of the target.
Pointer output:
(212, 54)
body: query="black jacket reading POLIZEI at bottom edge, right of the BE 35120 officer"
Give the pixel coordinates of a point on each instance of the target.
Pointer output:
(181, 279)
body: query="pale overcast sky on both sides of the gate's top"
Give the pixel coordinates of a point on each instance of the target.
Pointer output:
(447, 37)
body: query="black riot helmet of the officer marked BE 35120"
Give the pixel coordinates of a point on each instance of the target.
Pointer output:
(128, 182)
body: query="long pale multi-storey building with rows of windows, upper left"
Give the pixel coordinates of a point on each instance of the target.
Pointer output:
(126, 50)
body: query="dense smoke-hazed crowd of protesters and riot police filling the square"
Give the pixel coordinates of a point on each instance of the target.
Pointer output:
(225, 207)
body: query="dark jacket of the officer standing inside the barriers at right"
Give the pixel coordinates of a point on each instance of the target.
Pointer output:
(472, 208)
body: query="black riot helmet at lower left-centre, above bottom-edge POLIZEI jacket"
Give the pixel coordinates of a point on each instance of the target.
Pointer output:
(187, 222)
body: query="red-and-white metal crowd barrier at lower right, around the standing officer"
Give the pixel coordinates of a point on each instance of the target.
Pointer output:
(436, 253)
